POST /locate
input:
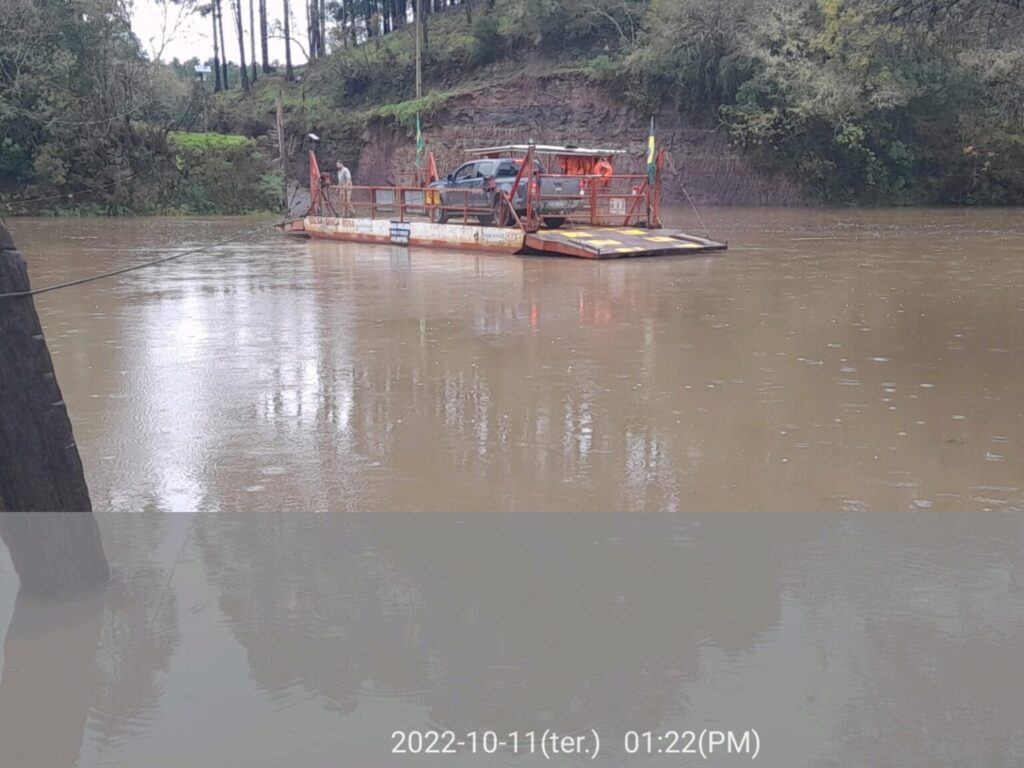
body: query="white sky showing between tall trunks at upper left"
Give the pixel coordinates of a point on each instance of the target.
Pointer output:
(194, 36)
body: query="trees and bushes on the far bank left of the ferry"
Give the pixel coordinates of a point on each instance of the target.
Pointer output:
(87, 123)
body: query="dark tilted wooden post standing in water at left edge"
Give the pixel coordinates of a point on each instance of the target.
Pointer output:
(49, 528)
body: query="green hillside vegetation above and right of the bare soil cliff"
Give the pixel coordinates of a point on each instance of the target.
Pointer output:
(858, 101)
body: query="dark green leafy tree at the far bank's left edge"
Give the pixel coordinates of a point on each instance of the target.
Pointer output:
(72, 78)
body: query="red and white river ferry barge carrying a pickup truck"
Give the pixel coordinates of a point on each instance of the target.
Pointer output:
(588, 211)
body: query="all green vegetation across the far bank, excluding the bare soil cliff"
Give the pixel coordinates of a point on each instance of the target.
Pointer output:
(858, 101)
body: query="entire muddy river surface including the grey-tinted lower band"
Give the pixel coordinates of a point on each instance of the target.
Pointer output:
(830, 361)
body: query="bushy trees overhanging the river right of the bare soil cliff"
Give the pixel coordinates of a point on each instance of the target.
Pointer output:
(860, 101)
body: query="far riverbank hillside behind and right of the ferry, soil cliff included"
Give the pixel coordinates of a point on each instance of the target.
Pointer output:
(833, 121)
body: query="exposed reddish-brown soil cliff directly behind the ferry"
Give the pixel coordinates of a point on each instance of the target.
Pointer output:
(567, 109)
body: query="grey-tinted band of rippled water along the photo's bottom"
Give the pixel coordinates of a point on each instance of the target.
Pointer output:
(308, 639)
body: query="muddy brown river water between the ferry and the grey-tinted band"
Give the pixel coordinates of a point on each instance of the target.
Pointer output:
(829, 361)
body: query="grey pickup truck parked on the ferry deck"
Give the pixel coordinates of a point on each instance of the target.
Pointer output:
(476, 185)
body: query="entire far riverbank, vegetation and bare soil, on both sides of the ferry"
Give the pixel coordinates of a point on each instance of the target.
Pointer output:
(832, 121)
